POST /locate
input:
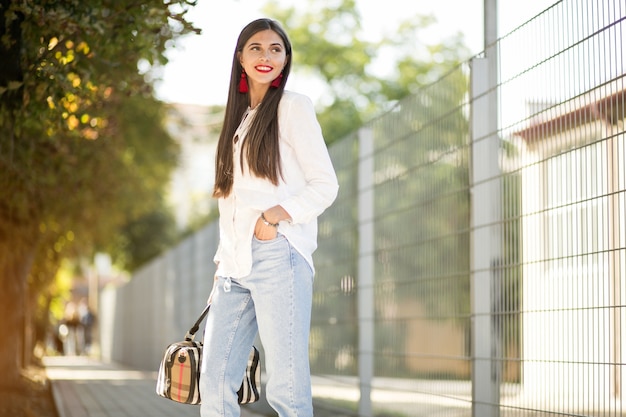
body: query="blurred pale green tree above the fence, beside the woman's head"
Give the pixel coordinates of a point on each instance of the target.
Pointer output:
(329, 45)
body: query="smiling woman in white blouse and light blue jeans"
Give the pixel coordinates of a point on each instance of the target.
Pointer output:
(273, 178)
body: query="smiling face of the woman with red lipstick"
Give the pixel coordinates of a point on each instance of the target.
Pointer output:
(263, 58)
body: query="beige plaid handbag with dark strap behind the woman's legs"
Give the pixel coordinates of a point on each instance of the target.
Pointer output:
(178, 378)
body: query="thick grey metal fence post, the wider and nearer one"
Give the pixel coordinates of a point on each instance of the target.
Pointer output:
(485, 242)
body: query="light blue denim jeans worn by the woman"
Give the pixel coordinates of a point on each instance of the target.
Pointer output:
(275, 301)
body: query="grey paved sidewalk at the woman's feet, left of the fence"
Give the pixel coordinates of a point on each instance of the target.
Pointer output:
(84, 387)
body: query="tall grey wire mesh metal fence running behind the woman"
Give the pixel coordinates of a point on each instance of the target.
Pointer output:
(474, 261)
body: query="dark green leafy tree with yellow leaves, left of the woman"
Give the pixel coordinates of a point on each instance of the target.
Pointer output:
(82, 149)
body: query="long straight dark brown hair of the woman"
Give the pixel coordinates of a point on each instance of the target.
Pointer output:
(261, 144)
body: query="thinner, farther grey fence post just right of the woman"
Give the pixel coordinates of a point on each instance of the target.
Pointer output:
(365, 280)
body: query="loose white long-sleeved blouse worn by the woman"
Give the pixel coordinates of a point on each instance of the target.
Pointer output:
(307, 187)
